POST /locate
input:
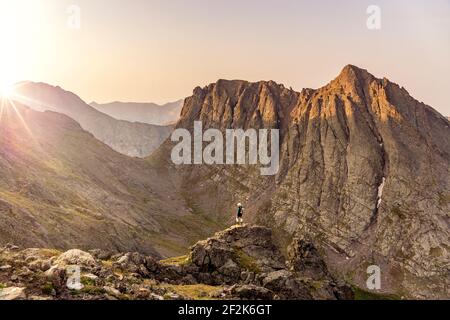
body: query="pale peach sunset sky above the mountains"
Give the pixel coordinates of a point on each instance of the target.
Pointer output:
(159, 50)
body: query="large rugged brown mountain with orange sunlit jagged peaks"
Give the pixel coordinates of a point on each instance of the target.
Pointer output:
(364, 172)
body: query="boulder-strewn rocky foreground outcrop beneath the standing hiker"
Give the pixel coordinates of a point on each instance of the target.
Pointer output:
(239, 263)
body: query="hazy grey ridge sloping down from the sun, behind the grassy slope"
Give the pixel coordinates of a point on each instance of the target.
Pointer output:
(133, 139)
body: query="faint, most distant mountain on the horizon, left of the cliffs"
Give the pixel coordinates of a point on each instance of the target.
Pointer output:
(151, 113)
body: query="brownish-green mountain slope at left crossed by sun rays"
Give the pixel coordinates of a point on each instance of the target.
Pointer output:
(62, 188)
